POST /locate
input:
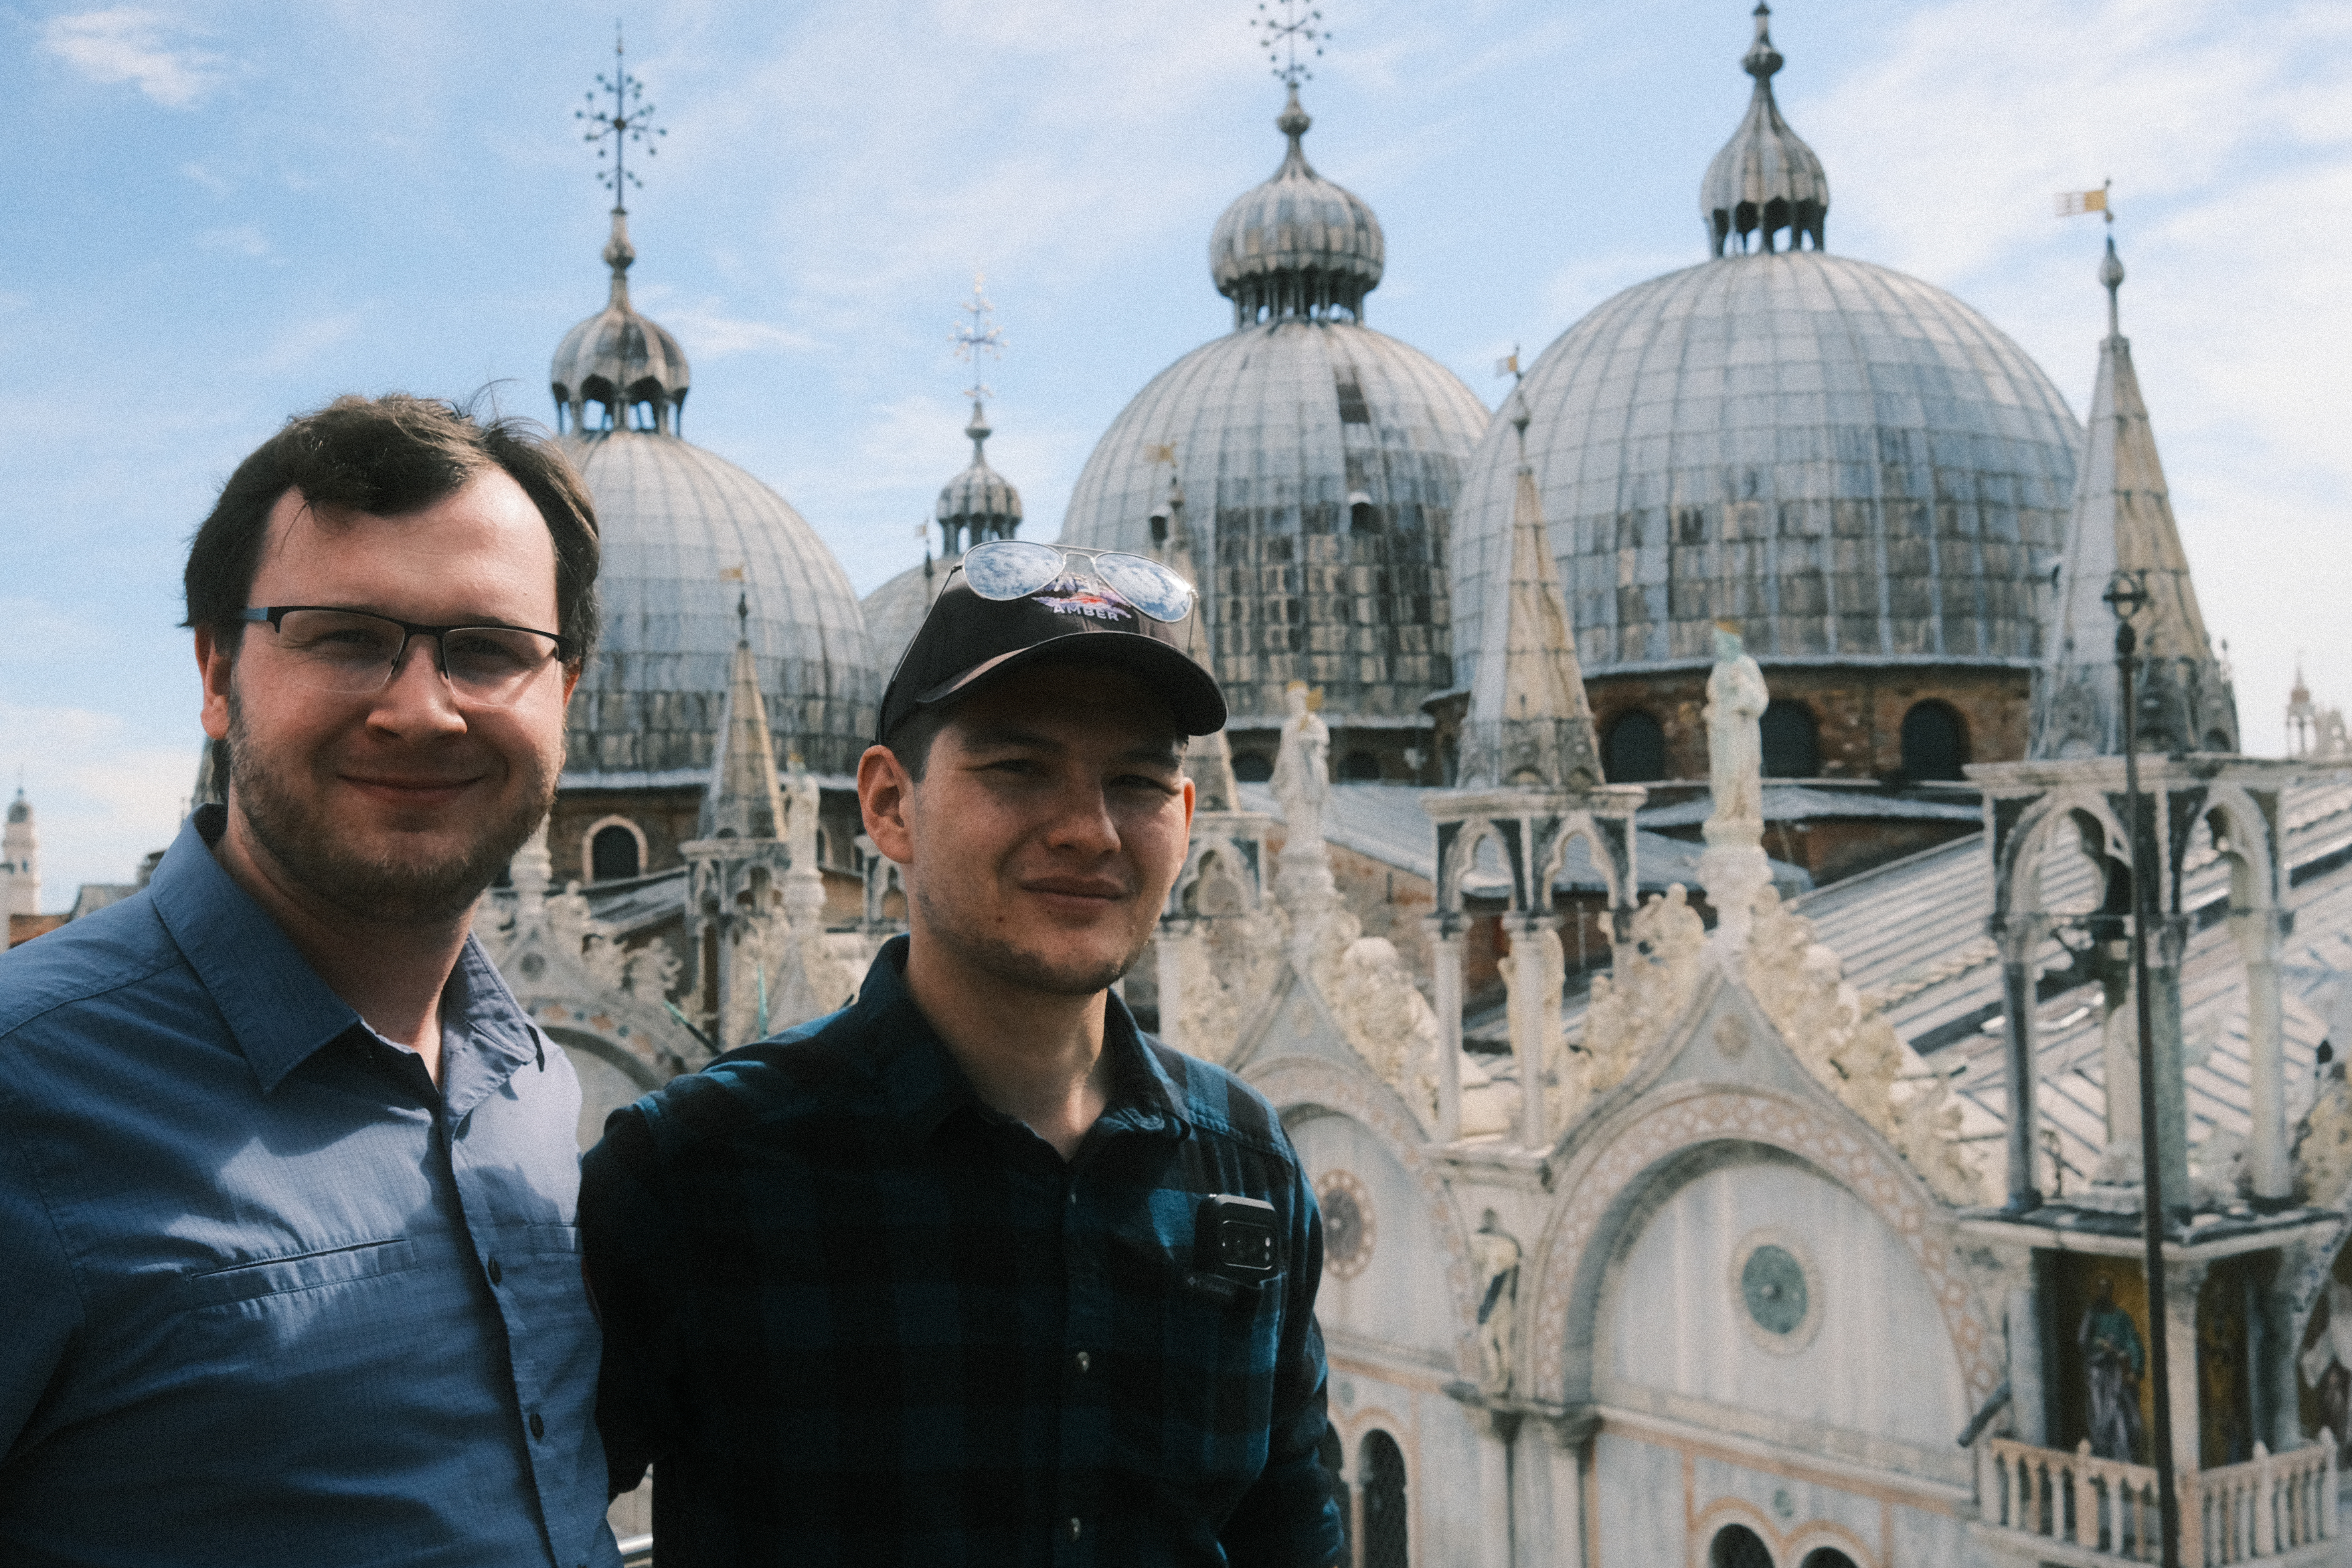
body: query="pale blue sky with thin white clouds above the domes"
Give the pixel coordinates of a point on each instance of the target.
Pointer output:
(222, 215)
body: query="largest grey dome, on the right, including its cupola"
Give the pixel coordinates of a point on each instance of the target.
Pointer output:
(1847, 464)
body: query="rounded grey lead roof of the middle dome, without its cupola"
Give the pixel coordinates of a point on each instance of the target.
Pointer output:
(1318, 462)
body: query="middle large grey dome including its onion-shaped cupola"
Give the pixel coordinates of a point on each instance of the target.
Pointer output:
(1311, 467)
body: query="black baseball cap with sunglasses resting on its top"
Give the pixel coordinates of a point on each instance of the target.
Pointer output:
(973, 641)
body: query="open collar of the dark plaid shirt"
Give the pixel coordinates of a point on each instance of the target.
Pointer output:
(926, 1085)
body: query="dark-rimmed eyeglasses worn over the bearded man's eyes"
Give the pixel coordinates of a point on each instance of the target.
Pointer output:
(354, 652)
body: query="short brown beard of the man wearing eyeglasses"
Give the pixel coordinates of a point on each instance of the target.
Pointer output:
(380, 890)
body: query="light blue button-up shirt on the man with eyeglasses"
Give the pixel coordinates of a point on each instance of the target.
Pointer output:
(269, 1296)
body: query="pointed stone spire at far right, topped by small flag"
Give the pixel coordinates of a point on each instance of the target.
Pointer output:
(2123, 521)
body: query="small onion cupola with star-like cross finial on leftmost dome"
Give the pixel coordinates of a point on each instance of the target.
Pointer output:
(620, 359)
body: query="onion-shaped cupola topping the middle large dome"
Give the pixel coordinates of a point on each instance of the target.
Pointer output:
(1299, 243)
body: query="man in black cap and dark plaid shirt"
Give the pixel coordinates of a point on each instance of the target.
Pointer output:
(973, 1271)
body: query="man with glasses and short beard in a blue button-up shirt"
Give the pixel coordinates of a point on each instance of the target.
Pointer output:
(288, 1181)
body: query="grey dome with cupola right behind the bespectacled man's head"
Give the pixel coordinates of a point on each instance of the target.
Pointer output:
(690, 540)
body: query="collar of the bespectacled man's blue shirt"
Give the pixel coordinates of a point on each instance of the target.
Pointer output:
(276, 1005)
